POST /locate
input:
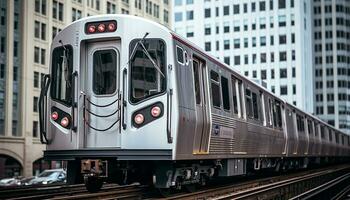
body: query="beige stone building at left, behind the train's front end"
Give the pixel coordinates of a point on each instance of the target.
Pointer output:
(27, 29)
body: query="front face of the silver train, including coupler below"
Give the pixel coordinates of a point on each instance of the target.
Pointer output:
(104, 106)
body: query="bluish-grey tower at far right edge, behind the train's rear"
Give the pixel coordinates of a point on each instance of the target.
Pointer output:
(331, 49)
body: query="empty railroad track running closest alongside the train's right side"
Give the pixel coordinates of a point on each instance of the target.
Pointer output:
(281, 187)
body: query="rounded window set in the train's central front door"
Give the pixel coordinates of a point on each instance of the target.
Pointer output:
(104, 76)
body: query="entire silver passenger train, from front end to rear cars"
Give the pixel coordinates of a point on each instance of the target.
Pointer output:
(129, 100)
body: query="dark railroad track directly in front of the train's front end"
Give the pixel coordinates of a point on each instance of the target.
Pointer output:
(62, 192)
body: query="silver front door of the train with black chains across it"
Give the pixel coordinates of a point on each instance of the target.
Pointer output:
(102, 95)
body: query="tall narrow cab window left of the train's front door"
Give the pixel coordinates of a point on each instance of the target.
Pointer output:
(62, 67)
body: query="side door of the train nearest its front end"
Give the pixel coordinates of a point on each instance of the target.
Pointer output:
(202, 133)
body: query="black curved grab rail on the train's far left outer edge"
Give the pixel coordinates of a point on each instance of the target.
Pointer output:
(42, 112)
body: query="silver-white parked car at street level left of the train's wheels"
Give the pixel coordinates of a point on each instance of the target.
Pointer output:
(49, 176)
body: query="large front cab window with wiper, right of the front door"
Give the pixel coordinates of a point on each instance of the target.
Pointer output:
(148, 69)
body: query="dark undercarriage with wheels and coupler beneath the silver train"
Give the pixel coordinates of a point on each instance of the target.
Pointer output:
(175, 175)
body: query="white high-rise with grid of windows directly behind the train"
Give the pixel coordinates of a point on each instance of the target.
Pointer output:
(268, 40)
